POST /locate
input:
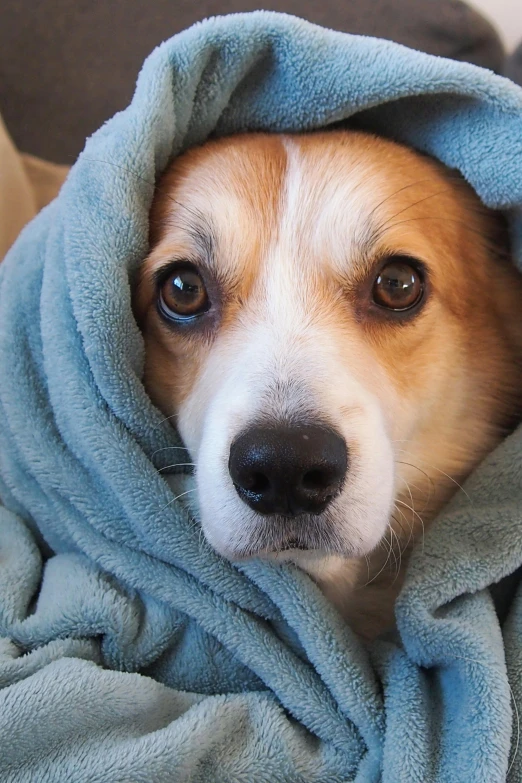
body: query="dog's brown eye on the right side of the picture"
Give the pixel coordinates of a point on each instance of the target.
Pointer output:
(398, 286)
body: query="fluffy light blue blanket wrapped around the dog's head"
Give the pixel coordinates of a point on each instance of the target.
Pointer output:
(129, 650)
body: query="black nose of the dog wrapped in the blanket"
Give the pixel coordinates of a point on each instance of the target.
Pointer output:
(288, 470)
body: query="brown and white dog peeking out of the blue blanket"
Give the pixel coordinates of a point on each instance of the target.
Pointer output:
(333, 321)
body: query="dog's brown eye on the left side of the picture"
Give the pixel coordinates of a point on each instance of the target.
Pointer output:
(182, 294)
